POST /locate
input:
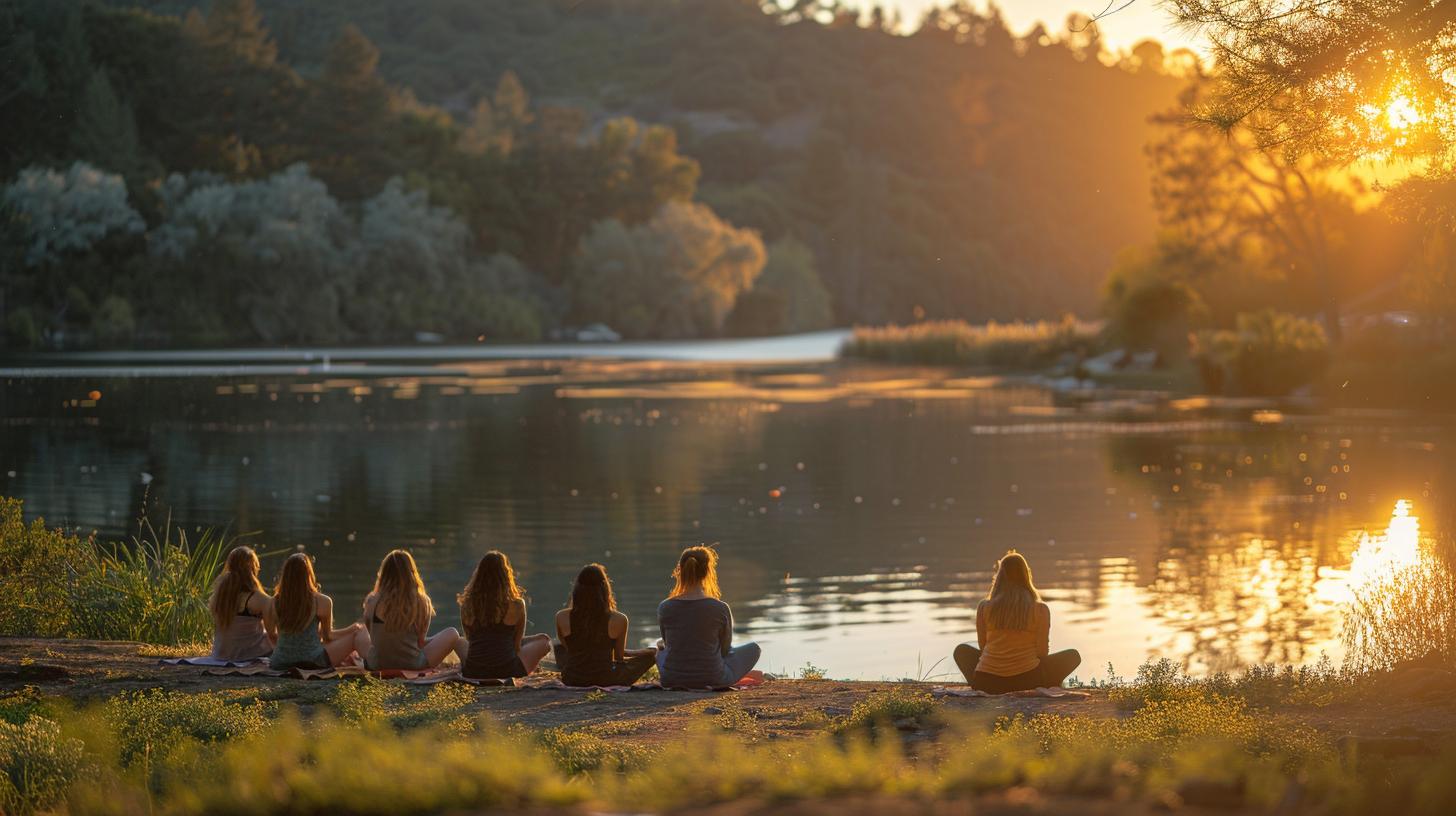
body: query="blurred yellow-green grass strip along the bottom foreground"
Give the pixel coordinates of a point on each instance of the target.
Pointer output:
(178, 754)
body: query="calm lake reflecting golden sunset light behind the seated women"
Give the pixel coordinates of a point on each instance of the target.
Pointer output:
(858, 509)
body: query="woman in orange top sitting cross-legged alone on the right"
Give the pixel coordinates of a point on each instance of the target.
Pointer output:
(1013, 636)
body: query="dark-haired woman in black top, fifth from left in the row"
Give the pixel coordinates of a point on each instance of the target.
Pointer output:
(595, 636)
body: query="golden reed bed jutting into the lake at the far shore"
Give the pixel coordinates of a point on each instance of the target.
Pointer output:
(1023, 346)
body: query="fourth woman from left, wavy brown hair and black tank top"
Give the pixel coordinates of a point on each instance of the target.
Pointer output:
(493, 611)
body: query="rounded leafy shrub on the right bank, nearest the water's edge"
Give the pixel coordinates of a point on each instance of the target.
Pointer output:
(1267, 353)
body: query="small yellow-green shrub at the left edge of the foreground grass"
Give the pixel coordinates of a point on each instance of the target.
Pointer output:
(39, 766)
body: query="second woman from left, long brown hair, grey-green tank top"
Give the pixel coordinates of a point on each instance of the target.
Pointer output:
(302, 620)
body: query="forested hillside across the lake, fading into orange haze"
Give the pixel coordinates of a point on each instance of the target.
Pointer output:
(299, 171)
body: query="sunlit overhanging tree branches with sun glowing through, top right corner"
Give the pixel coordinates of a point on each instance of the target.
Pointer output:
(1352, 79)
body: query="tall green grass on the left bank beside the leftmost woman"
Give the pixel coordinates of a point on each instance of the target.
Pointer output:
(152, 589)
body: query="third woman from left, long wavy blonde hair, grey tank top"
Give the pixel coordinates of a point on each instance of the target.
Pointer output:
(398, 616)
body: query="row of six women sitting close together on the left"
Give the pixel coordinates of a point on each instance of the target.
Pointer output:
(295, 626)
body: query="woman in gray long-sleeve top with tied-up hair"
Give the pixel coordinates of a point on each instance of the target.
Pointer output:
(698, 649)
